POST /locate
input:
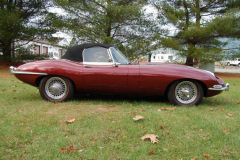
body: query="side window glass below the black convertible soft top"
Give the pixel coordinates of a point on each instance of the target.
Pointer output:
(96, 54)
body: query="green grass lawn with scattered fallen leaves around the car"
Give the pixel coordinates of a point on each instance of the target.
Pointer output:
(31, 128)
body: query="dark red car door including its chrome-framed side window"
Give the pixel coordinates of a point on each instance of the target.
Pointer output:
(100, 72)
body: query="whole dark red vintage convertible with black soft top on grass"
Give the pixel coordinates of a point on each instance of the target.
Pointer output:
(102, 68)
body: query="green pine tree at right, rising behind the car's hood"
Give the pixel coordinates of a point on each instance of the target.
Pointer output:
(198, 25)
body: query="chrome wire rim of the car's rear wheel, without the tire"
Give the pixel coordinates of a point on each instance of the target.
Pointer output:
(56, 88)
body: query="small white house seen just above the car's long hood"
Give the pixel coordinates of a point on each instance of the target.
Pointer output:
(164, 55)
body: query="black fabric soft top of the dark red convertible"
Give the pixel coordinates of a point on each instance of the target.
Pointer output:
(75, 53)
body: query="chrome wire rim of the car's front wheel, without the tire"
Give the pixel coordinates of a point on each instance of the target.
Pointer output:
(186, 92)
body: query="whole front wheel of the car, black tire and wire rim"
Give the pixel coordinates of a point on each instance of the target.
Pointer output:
(185, 93)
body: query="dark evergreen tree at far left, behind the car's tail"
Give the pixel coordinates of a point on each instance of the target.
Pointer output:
(22, 20)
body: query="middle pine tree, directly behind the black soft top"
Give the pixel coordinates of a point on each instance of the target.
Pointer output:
(119, 22)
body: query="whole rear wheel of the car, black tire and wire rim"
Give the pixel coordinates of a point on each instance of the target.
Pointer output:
(54, 88)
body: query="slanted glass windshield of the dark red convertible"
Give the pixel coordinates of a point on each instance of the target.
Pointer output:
(119, 57)
